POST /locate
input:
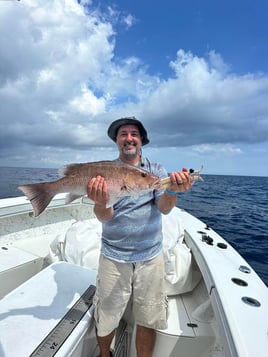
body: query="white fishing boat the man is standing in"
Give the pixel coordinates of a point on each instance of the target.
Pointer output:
(218, 305)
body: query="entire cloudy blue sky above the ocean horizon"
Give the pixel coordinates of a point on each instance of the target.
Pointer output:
(194, 72)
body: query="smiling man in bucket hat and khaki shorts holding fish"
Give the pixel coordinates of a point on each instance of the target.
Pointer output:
(131, 261)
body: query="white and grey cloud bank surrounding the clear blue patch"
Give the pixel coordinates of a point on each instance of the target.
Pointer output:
(61, 84)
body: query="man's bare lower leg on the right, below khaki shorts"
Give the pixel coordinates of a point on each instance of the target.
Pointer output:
(145, 341)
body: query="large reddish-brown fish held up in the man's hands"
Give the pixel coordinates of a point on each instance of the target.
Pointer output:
(122, 180)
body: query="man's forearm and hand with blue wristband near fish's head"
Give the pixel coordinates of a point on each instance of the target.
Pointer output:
(180, 182)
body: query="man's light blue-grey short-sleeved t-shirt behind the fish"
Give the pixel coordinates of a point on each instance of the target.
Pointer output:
(134, 233)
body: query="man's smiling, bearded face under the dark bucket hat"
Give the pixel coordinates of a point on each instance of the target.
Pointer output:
(129, 141)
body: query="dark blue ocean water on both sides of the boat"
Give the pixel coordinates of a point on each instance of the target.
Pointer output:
(234, 206)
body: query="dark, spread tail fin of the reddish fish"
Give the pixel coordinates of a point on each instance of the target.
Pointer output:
(40, 195)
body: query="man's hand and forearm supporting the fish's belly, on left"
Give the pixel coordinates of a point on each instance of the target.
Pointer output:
(97, 191)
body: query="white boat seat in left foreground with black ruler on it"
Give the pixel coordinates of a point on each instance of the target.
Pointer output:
(29, 313)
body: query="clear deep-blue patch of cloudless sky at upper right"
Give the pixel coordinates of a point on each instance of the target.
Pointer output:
(235, 29)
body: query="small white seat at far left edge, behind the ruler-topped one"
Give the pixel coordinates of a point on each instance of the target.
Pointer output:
(16, 266)
